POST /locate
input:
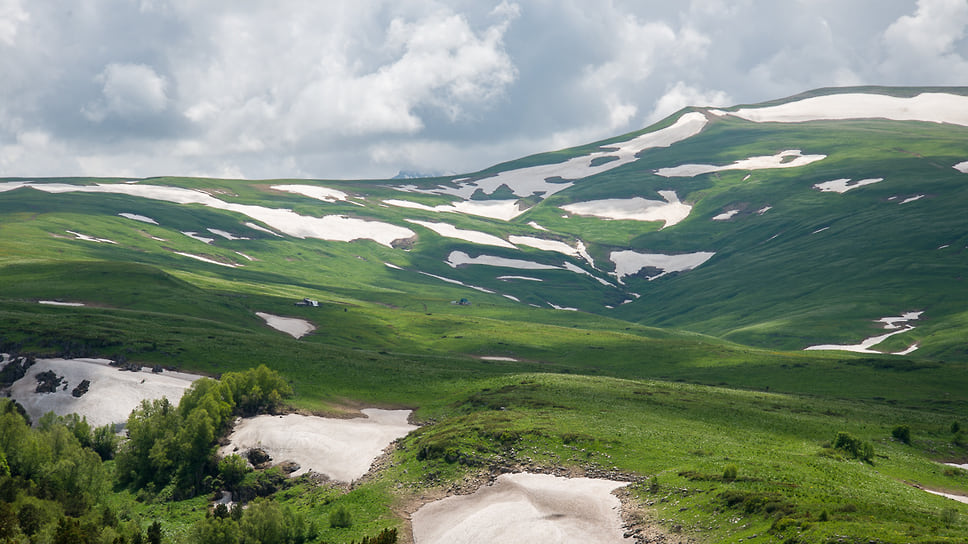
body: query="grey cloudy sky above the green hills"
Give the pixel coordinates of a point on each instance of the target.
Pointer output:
(367, 88)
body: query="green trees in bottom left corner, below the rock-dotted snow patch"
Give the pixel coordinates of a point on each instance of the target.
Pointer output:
(52, 481)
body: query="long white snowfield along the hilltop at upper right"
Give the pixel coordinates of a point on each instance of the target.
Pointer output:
(931, 107)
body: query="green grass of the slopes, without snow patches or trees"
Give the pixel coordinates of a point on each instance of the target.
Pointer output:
(587, 390)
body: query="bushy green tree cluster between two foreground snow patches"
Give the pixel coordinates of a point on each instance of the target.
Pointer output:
(173, 448)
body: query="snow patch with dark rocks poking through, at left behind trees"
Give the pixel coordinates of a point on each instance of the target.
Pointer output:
(111, 396)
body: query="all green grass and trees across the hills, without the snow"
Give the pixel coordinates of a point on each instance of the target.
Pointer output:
(697, 390)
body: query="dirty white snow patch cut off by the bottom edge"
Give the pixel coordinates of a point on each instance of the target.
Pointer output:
(525, 509)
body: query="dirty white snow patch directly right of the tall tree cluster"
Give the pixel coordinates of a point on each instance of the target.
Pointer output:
(342, 449)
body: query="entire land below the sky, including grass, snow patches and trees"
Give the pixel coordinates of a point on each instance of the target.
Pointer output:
(749, 322)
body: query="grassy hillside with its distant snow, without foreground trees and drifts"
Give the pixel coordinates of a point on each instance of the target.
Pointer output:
(556, 304)
